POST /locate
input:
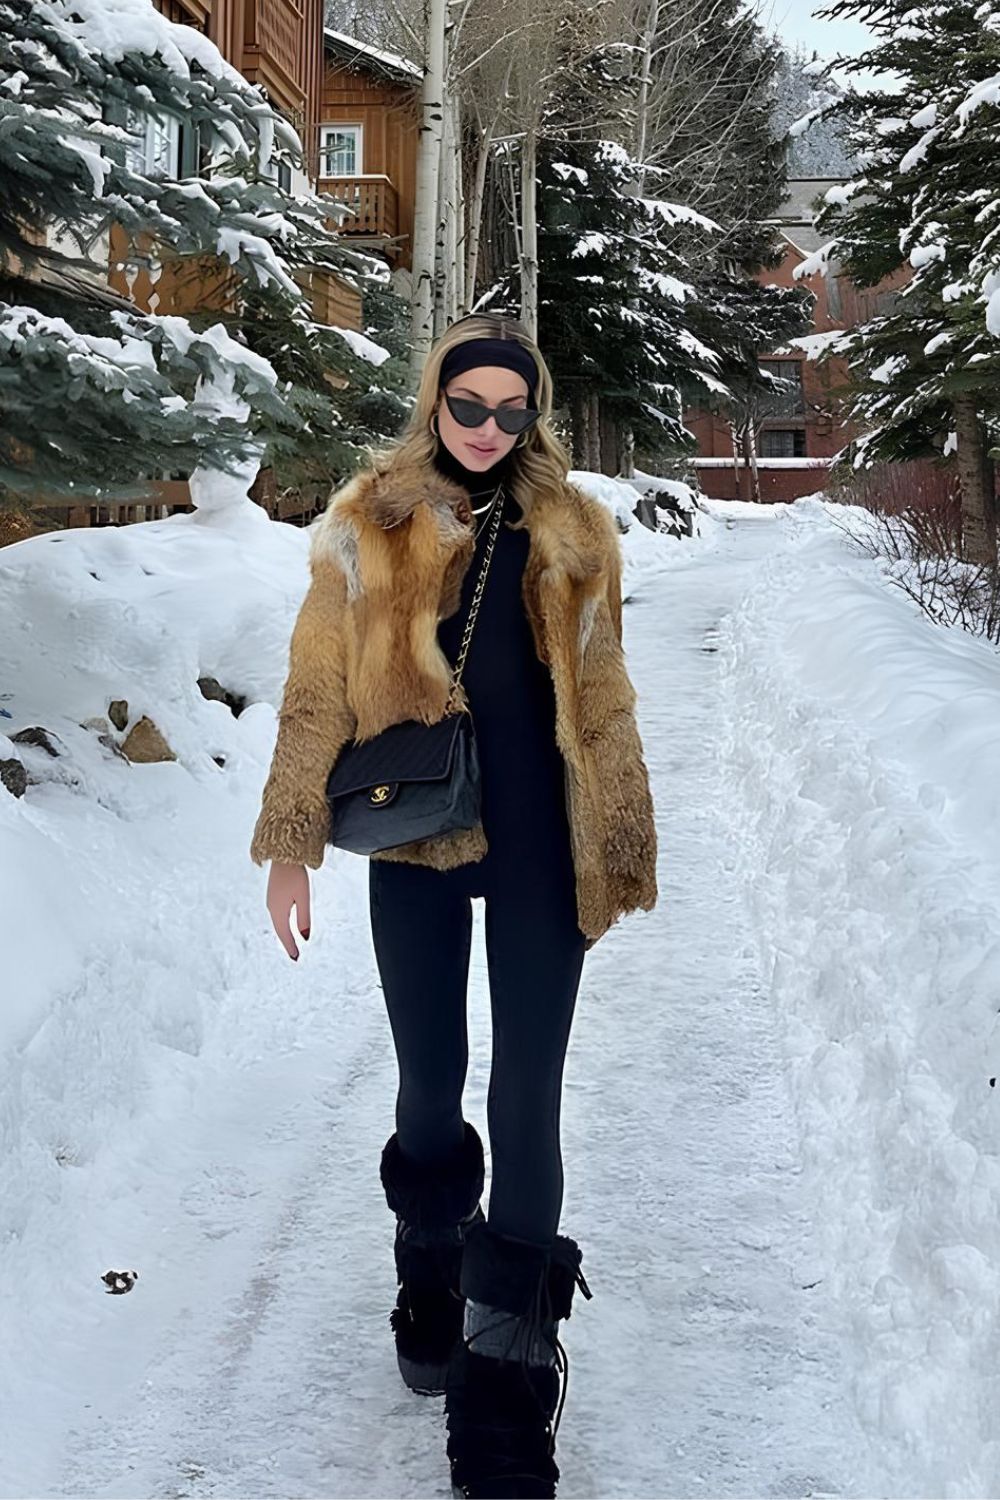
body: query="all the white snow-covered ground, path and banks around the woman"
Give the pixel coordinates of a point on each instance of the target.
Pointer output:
(779, 1138)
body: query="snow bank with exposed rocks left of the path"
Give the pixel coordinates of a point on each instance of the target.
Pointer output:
(142, 976)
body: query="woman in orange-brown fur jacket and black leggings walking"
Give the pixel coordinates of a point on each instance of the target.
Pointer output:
(566, 845)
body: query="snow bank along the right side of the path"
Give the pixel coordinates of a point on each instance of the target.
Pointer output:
(863, 745)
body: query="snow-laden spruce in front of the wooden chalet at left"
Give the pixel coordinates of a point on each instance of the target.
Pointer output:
(118, 122)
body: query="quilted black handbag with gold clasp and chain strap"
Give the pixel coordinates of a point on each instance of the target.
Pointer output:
(413, 781)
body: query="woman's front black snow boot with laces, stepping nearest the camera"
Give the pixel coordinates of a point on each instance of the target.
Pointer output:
(503, 1385)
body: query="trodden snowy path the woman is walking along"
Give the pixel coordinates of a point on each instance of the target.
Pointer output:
(256, 1357)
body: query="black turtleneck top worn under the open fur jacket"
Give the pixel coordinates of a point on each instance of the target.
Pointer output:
(509, 689)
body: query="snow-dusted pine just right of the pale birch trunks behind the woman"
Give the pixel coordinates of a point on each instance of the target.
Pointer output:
(614, 289)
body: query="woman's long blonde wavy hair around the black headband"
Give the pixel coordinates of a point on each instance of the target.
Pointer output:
(540, 464)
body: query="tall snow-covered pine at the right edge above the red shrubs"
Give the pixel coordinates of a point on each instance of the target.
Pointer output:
(924, 211)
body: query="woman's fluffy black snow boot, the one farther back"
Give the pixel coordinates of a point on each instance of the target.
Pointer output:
(434, 1210)
